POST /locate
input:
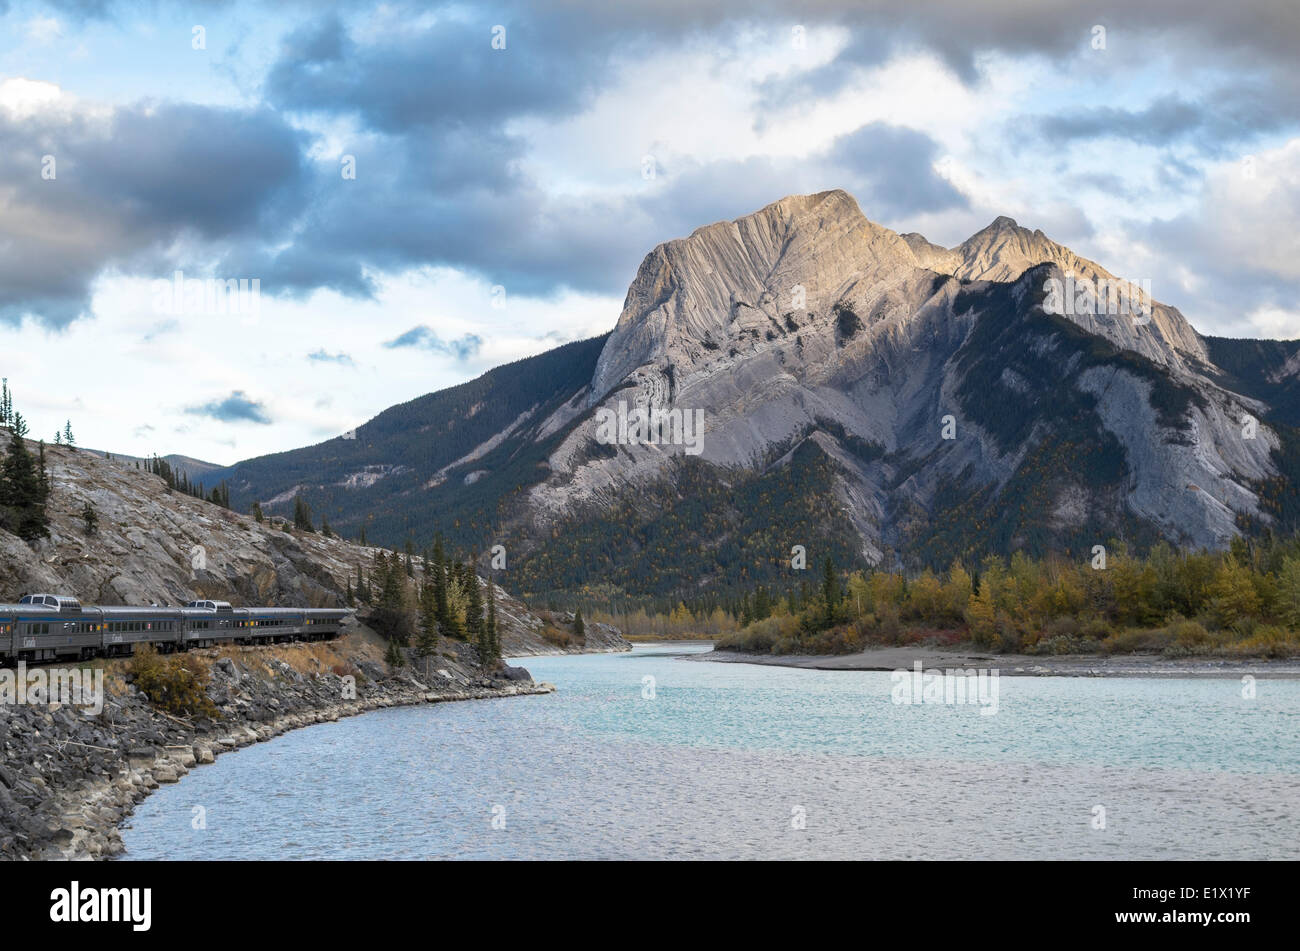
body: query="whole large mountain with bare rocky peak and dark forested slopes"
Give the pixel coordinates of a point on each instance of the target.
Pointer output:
(865, 394)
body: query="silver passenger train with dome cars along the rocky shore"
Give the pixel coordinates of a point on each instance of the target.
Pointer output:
(44, 627)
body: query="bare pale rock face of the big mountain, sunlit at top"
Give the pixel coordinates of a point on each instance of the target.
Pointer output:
(808, 312)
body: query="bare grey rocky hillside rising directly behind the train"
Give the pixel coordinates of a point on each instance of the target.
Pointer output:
(159, 546)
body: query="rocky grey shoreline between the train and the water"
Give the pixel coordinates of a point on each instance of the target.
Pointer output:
(68, 780)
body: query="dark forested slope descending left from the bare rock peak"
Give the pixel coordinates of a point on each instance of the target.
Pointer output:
(413, 463)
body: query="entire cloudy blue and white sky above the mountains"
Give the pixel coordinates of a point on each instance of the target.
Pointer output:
(424, 192)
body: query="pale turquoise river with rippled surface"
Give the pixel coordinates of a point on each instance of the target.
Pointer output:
(648, 755)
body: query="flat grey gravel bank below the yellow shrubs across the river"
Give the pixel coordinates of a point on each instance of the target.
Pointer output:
(1020, 665)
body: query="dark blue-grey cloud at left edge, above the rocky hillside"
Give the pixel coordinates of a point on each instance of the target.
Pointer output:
(125, 188)
